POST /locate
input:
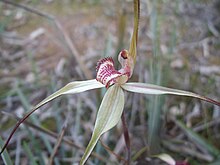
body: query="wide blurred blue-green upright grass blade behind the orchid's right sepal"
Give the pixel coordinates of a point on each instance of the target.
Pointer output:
(155, 64)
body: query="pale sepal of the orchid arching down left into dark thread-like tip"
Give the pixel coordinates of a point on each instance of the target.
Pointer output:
(71, 88)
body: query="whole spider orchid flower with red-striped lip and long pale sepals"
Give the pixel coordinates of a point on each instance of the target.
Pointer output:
(115, 81)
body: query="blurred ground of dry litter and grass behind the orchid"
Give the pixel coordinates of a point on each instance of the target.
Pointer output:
(46, 44)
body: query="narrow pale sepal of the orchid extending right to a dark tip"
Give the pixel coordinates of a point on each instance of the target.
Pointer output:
(159, 90)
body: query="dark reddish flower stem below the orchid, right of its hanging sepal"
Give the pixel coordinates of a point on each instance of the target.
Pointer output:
(126, 137)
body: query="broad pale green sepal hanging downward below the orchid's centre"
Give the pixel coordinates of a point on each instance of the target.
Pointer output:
(109, 114)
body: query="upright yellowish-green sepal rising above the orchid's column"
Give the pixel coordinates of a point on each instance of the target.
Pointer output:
(133, 44)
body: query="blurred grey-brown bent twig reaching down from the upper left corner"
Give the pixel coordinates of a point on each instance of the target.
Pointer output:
(67, 39)
